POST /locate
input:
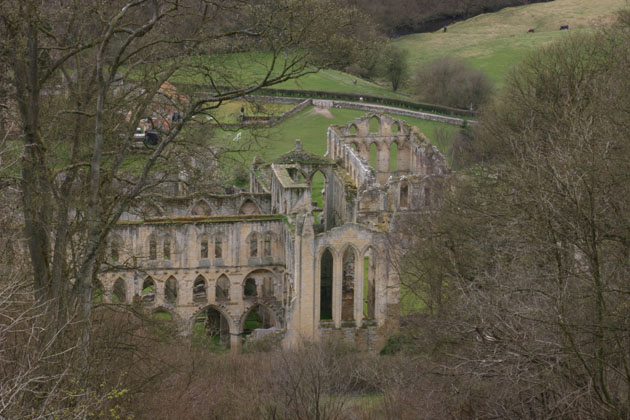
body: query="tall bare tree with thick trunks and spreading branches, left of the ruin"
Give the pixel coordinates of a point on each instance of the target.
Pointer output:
(82, 76)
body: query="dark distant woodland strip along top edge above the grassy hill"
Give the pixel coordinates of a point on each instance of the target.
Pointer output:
(401, 17)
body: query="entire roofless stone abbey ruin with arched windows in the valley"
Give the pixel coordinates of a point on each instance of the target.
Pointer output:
(306, 270)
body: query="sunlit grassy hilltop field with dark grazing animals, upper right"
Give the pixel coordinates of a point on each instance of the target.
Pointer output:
(495, 42)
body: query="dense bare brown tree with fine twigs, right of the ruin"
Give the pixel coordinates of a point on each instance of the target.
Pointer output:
(530, 249)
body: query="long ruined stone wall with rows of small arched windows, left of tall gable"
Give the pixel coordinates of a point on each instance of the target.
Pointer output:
(207, 251)
